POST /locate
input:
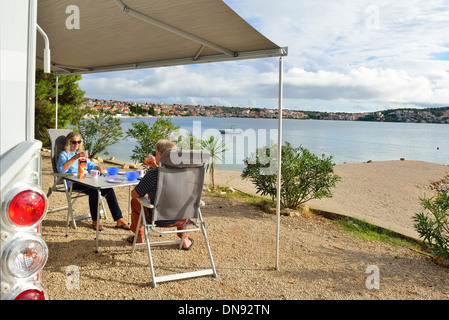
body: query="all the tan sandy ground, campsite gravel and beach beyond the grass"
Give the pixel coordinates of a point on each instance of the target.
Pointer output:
(318, 260)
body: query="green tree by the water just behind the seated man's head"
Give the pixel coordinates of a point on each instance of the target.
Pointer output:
(147, 136)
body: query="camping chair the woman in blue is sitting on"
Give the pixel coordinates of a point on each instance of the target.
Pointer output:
(57, 139)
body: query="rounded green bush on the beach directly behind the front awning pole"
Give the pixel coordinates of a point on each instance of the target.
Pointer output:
(304, 176)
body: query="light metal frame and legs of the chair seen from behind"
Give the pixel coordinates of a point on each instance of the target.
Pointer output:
(197, 224)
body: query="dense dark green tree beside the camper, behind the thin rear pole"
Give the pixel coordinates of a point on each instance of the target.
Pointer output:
(70, 98)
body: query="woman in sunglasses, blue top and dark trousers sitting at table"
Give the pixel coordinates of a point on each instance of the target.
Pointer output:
(68, 163)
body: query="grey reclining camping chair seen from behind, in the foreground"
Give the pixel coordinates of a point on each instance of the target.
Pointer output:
(178, 197)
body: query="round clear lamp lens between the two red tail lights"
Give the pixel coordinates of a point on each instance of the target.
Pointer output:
(25, 256)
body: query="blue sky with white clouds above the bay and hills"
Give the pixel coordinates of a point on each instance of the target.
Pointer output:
(345, 55)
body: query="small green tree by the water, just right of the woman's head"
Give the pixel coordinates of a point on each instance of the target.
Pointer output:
(99, 132)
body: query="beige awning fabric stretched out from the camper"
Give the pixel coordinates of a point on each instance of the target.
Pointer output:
(131, 34)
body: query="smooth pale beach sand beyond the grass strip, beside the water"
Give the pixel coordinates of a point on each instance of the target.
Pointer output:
(384, 193)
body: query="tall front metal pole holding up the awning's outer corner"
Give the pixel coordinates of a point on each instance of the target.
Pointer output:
(279, 159)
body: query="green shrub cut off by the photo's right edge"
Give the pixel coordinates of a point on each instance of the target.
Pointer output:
(434, 228)
